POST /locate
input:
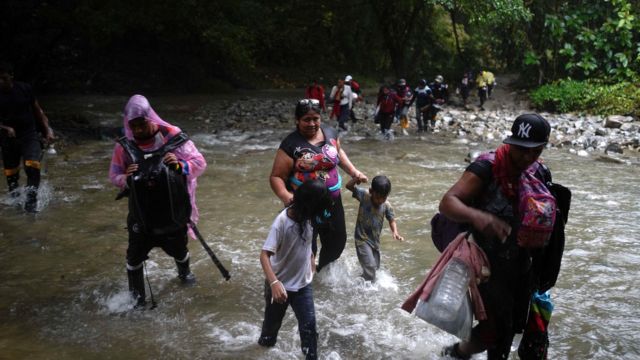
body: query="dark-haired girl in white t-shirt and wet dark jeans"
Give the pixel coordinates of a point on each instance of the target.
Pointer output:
(289, 263)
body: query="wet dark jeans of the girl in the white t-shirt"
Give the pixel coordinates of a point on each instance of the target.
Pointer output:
(301, 302)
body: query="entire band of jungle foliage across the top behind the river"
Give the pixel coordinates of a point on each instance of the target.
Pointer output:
(205, 45)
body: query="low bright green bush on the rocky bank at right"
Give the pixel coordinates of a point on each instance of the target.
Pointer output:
(589, 97)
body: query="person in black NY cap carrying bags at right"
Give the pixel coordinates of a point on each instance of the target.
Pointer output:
(487, 198)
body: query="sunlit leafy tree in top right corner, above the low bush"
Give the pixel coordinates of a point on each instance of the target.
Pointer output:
(595, 40)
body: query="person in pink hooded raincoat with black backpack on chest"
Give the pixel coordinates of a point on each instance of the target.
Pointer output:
(156, 166)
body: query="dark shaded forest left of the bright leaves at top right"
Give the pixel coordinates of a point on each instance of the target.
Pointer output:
(193, 45)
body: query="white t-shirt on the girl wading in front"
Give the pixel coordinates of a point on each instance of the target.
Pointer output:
(291, 259)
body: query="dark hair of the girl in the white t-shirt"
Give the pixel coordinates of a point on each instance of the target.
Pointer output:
(310, 201)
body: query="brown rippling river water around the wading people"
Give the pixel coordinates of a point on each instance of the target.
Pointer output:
(64, 288)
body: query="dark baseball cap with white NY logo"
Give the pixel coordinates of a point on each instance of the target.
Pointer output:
(529, 130)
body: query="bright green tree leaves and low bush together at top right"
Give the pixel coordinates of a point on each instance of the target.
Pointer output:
(594, 47)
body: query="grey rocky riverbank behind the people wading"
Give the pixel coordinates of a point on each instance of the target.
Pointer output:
(612, 138)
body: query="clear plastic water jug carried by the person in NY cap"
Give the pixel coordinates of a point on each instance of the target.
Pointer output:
(446, 298)
